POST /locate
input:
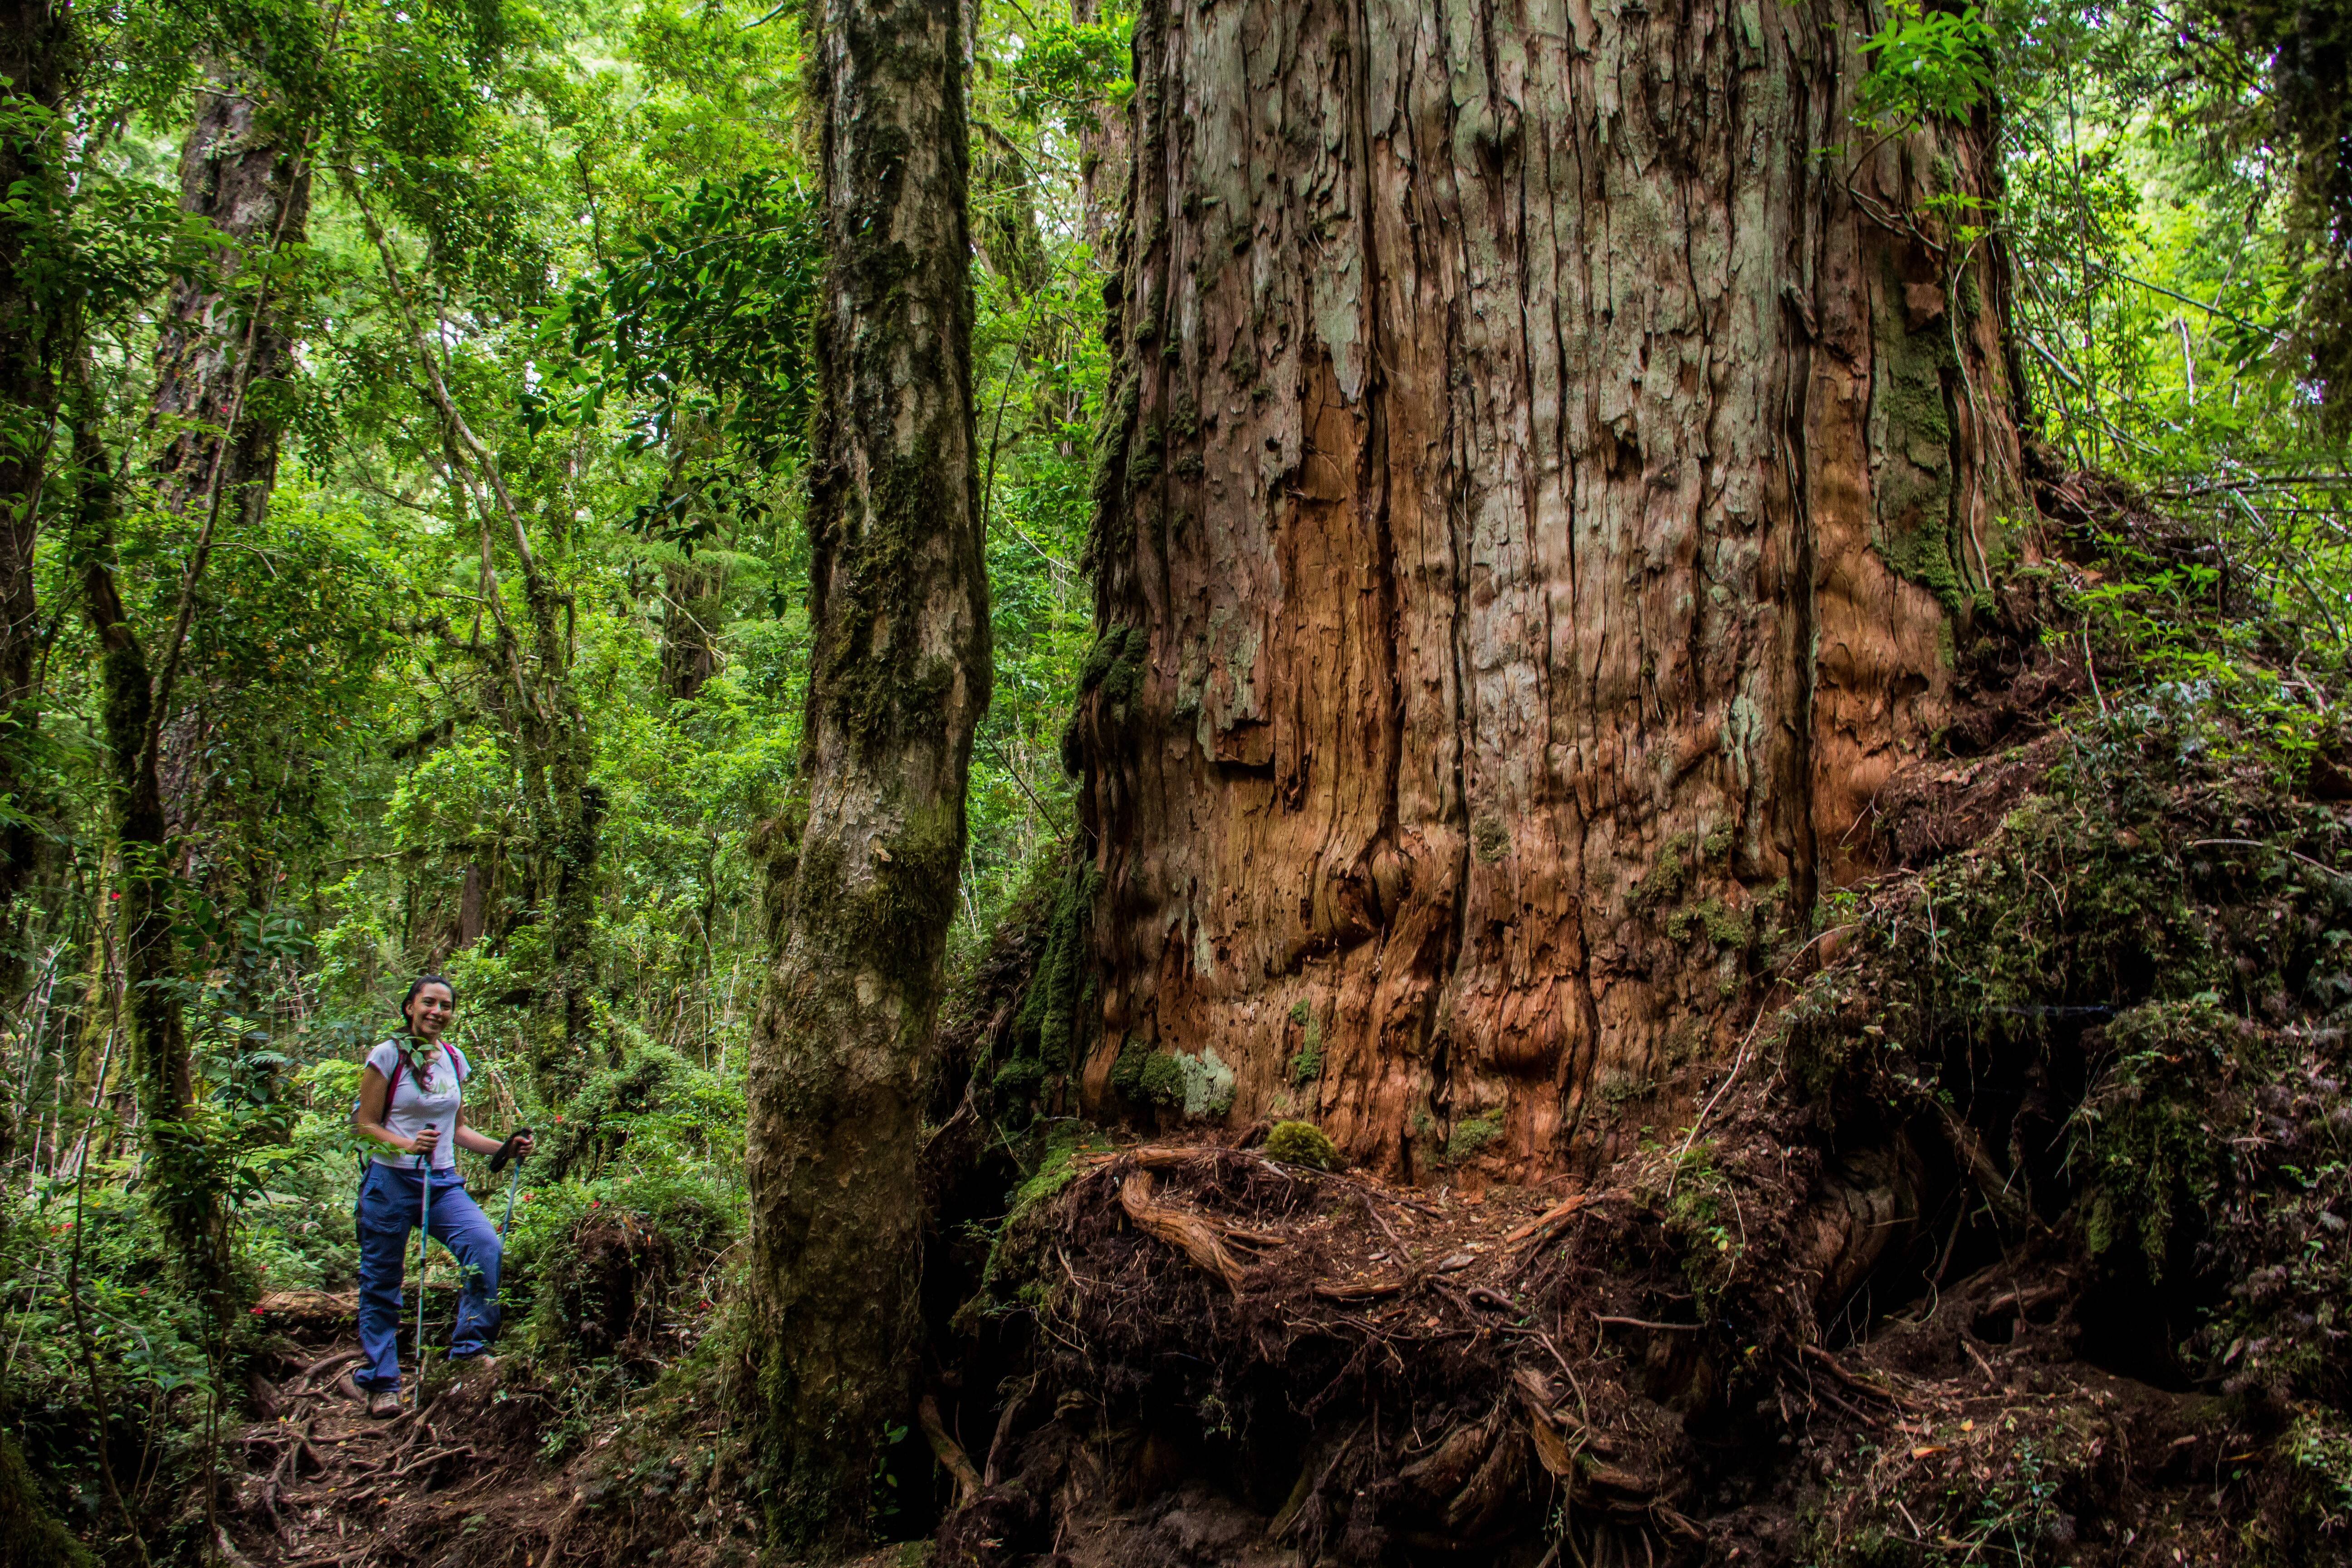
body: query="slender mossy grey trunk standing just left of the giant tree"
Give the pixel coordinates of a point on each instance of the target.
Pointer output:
(900, 681)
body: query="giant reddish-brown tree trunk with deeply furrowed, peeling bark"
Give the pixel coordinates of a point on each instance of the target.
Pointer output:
(1539, 509)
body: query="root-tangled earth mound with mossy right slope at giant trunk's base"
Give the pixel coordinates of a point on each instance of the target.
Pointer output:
(2022, 1242)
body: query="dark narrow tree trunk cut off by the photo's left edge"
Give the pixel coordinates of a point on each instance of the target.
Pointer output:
(36, 39)
